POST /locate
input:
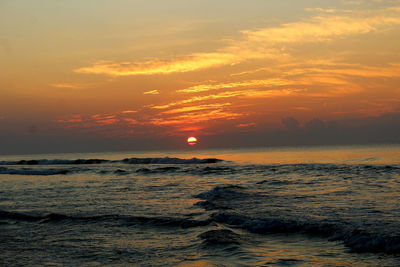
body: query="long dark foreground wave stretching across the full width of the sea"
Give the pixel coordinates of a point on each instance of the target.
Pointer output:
(357, 239)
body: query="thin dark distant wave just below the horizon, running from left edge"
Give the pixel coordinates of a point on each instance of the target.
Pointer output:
(165, 160)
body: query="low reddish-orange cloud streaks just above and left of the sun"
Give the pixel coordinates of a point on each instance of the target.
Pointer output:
(121, 124)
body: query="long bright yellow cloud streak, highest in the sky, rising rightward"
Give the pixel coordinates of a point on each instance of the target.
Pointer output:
(261, 44)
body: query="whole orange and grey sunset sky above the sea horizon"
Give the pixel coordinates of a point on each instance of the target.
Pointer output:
(99, 75)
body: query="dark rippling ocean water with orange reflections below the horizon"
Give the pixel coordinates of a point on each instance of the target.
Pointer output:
(321, 206)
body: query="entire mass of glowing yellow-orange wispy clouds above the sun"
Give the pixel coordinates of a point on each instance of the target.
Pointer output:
(275, 64)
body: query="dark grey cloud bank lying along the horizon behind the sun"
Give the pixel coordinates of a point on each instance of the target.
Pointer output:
(383, 129)
